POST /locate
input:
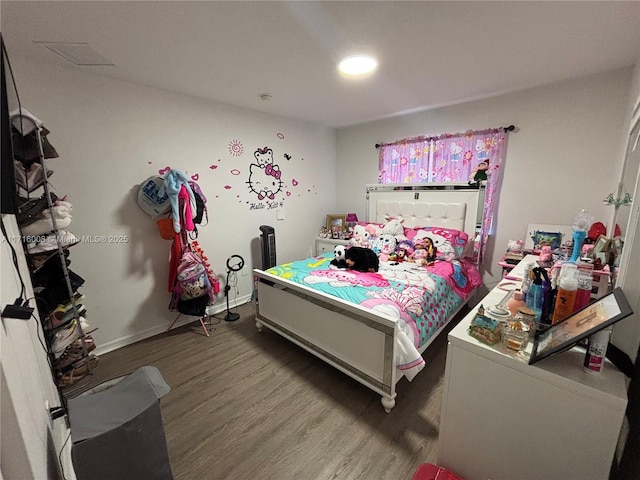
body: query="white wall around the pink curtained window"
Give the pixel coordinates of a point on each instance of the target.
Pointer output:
(563, 157)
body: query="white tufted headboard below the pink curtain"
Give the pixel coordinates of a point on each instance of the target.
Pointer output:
(451, 205)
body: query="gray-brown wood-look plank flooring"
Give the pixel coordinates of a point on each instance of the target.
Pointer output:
(249, 405)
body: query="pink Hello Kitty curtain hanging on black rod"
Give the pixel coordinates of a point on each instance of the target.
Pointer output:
(449, 157)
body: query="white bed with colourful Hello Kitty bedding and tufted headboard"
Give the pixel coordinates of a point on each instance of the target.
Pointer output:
(374, 327)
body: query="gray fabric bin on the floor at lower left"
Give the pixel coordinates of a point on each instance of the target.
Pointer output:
(117, 429)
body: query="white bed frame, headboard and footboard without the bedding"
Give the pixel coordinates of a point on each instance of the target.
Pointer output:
(353, 339)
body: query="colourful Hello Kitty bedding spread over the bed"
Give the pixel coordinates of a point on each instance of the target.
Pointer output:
(421, 298)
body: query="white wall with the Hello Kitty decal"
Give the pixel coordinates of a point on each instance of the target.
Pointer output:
(112, 135)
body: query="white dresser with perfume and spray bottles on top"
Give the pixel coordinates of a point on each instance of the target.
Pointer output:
(503, 419)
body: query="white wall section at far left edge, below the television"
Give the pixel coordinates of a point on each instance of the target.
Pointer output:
(28, 440)
